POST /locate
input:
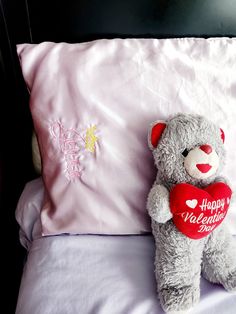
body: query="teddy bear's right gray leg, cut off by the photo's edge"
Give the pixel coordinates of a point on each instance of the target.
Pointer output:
(219, 258)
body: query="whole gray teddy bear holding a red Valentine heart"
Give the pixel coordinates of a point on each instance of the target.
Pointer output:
(189, 155)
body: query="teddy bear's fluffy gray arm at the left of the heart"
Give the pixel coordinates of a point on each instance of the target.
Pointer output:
(158, 204)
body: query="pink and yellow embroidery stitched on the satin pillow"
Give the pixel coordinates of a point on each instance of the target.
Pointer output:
(72, 145)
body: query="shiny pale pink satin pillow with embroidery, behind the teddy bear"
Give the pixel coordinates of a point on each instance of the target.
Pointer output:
(92, 104)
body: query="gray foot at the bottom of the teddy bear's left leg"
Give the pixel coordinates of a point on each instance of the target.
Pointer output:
(179, 300)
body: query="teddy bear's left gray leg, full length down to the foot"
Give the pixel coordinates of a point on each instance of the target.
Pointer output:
(177, 268)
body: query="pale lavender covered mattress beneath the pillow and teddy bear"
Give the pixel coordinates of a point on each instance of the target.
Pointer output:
(93, 274)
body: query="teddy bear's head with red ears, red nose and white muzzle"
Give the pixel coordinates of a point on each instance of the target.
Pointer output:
(187, 148)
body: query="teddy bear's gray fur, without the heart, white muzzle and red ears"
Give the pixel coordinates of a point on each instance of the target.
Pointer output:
(180, 260)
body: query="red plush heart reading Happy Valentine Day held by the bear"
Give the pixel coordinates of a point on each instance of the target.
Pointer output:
(197, 212)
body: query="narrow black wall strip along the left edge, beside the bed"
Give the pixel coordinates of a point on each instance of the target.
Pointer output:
(15, 152)
